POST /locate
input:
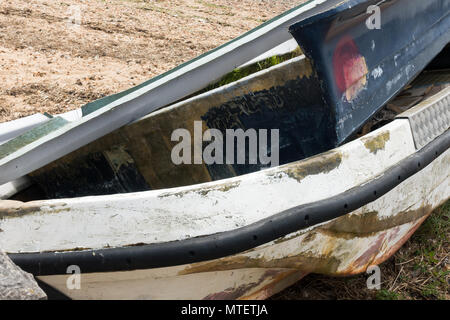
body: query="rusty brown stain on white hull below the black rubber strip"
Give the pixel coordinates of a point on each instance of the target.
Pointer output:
(325, 259)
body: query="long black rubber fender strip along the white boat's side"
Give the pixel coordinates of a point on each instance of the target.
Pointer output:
(236, 241)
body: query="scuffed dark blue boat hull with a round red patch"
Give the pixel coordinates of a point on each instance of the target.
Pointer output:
(360, 69)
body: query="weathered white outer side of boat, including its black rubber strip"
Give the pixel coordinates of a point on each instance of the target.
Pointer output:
(366, 235)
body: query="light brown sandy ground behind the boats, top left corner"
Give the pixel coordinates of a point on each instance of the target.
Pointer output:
(56, 56)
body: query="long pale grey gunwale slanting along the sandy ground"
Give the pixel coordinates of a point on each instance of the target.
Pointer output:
(127, 106)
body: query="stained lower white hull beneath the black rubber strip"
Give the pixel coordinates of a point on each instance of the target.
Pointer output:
(266, 270)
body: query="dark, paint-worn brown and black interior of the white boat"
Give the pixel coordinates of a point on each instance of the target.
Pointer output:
(281, 92)
